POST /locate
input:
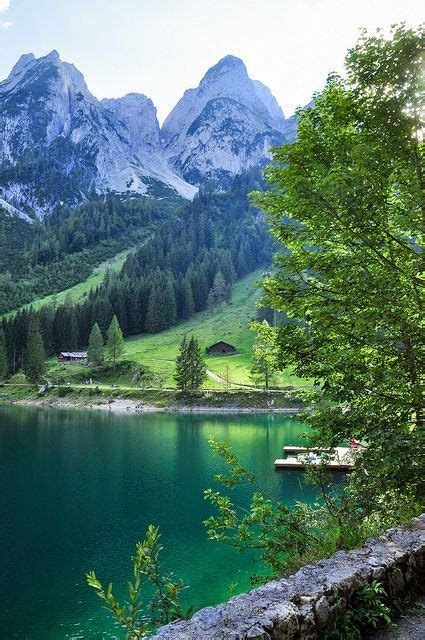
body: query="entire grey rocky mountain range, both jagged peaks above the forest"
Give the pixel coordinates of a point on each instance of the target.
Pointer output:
(58, 143)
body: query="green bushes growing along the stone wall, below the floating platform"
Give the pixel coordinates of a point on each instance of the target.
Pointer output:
(286, 537)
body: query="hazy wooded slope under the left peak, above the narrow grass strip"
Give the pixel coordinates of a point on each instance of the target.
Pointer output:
(61, 250)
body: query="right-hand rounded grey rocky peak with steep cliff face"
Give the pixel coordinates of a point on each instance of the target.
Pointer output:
(225, 125)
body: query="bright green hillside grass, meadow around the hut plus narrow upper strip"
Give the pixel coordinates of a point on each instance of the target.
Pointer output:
(148, 360)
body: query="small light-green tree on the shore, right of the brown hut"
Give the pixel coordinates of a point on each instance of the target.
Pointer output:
(265, 354)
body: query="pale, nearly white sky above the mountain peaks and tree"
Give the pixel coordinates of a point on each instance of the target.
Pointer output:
(162, 47)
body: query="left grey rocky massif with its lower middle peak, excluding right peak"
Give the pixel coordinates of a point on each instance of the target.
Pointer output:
(59, 143)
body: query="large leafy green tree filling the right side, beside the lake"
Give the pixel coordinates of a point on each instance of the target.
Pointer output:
(348, 199)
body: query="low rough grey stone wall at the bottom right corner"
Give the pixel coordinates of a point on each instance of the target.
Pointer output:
(302, 605)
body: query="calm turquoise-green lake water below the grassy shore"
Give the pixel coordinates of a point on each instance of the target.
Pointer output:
(78, 489)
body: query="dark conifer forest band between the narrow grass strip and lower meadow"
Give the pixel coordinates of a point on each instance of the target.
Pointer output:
(188, 264)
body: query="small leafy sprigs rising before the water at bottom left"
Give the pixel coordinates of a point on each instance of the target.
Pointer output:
(139, 618)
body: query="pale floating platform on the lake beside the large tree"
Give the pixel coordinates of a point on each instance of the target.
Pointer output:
(336, 459)
